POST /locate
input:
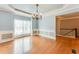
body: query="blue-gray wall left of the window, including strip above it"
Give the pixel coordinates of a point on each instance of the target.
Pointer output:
(7, 21)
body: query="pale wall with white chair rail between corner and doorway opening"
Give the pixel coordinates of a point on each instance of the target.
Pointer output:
(47, 26)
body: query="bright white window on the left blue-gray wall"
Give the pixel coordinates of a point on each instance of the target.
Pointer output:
(22, 27)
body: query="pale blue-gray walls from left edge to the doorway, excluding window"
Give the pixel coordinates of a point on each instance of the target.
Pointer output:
(46, 25)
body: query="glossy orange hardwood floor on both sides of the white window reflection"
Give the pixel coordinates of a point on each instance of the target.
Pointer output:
(42, 45)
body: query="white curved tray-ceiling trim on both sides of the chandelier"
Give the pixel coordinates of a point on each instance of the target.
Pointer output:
(59, 11)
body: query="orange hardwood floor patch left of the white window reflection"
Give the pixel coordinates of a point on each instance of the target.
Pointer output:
(6, 48)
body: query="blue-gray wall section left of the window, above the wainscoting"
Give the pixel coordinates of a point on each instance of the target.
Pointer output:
(6, 21)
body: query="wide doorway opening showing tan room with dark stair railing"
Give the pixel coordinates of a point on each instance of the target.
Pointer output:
(68, 25)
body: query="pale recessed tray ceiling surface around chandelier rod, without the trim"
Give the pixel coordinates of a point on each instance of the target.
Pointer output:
(43, 8)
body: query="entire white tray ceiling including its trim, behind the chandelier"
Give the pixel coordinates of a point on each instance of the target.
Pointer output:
(46, 9)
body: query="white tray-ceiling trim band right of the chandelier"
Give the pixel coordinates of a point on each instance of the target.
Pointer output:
(63, 10)
